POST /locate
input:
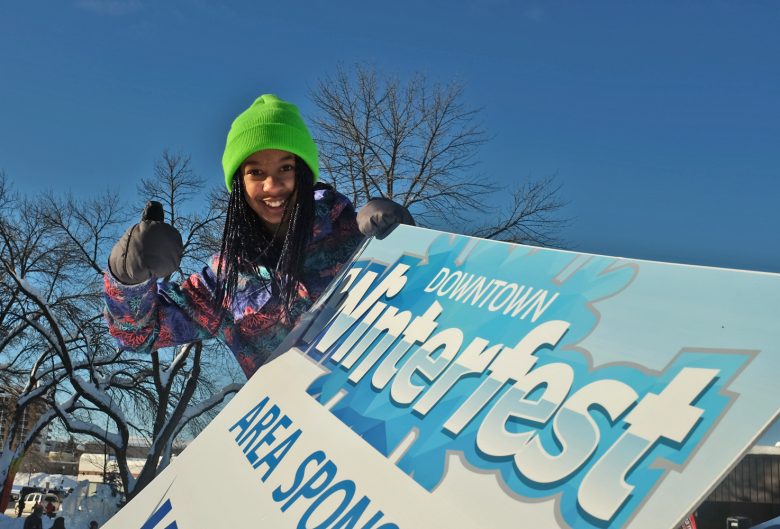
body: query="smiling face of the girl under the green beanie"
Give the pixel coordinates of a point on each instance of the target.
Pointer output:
(269, 185)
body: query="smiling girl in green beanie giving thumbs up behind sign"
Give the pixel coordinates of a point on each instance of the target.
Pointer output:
(285, 239)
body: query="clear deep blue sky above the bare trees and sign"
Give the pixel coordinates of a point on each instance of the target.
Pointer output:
(660, 119)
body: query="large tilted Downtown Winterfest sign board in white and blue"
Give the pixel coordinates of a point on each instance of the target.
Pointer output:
(451, 382)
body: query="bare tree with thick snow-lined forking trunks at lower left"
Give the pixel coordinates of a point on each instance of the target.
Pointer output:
(99, 391)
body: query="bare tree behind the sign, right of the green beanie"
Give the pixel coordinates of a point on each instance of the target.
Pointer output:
(417, 144)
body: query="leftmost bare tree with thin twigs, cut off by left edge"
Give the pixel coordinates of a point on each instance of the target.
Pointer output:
(29, 256)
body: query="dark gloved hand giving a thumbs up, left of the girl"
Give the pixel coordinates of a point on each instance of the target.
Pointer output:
(150, 248)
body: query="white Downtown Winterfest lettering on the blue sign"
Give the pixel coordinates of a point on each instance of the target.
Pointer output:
(401, 350)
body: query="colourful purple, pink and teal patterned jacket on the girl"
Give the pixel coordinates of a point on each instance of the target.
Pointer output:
(158, 314)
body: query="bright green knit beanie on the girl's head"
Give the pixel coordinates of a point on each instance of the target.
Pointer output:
(270, 123)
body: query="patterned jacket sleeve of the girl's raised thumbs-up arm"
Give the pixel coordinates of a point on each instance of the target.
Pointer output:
(157, 314)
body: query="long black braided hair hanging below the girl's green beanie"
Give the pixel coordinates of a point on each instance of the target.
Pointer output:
(247, 246)
